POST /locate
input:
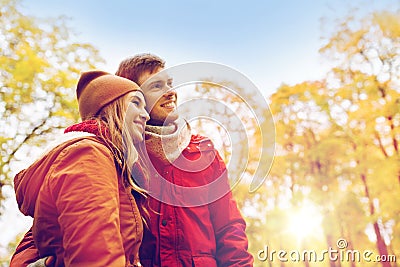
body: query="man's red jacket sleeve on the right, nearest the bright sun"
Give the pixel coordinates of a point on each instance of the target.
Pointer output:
(229, 226)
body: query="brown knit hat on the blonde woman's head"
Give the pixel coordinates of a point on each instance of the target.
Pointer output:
(97, 88)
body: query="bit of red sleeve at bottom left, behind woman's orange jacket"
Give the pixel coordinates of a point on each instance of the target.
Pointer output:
(26, 252)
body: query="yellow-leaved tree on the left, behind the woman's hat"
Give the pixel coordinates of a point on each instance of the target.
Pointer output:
(40, 67)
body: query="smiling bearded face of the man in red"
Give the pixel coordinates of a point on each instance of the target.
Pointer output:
(161, 101)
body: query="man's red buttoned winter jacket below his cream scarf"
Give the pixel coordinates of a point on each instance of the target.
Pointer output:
(205, 235)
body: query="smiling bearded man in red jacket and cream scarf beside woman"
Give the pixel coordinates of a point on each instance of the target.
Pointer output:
(207, 235)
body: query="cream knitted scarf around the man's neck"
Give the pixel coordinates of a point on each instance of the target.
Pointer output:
(167, 142)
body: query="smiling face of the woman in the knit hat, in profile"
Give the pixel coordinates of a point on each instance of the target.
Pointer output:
(136, 115)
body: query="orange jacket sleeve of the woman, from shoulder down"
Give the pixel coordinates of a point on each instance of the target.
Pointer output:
(84, 186)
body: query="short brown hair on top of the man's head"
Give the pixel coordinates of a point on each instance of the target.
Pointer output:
(133, 67)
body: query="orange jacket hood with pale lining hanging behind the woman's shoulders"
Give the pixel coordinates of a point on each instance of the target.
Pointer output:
(27, 183)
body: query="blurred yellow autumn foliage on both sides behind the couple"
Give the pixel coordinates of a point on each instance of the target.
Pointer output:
(336, 172)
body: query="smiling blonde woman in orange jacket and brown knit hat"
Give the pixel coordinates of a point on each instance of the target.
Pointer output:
(81, 193)
